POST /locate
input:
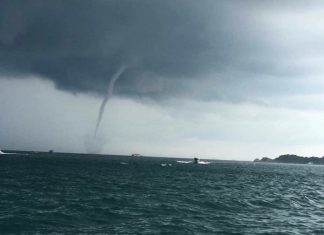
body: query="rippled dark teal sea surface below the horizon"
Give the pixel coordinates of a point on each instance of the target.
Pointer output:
(80, 194)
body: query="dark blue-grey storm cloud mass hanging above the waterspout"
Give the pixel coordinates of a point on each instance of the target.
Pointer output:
(79, 44)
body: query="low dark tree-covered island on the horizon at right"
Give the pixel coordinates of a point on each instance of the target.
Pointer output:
(291, 158)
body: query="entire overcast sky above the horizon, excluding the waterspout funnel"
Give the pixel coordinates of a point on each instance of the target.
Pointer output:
(214, 79)
